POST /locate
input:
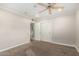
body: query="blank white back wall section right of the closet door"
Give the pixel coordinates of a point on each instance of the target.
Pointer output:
(64, 30)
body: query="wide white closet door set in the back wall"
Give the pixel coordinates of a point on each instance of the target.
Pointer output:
(46, 31)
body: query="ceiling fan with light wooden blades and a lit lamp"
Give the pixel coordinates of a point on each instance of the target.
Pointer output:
(51, 7)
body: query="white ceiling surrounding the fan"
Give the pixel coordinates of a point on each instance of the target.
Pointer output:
(31, 9)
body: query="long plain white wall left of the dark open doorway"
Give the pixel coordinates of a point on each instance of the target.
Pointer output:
(14, 30)
